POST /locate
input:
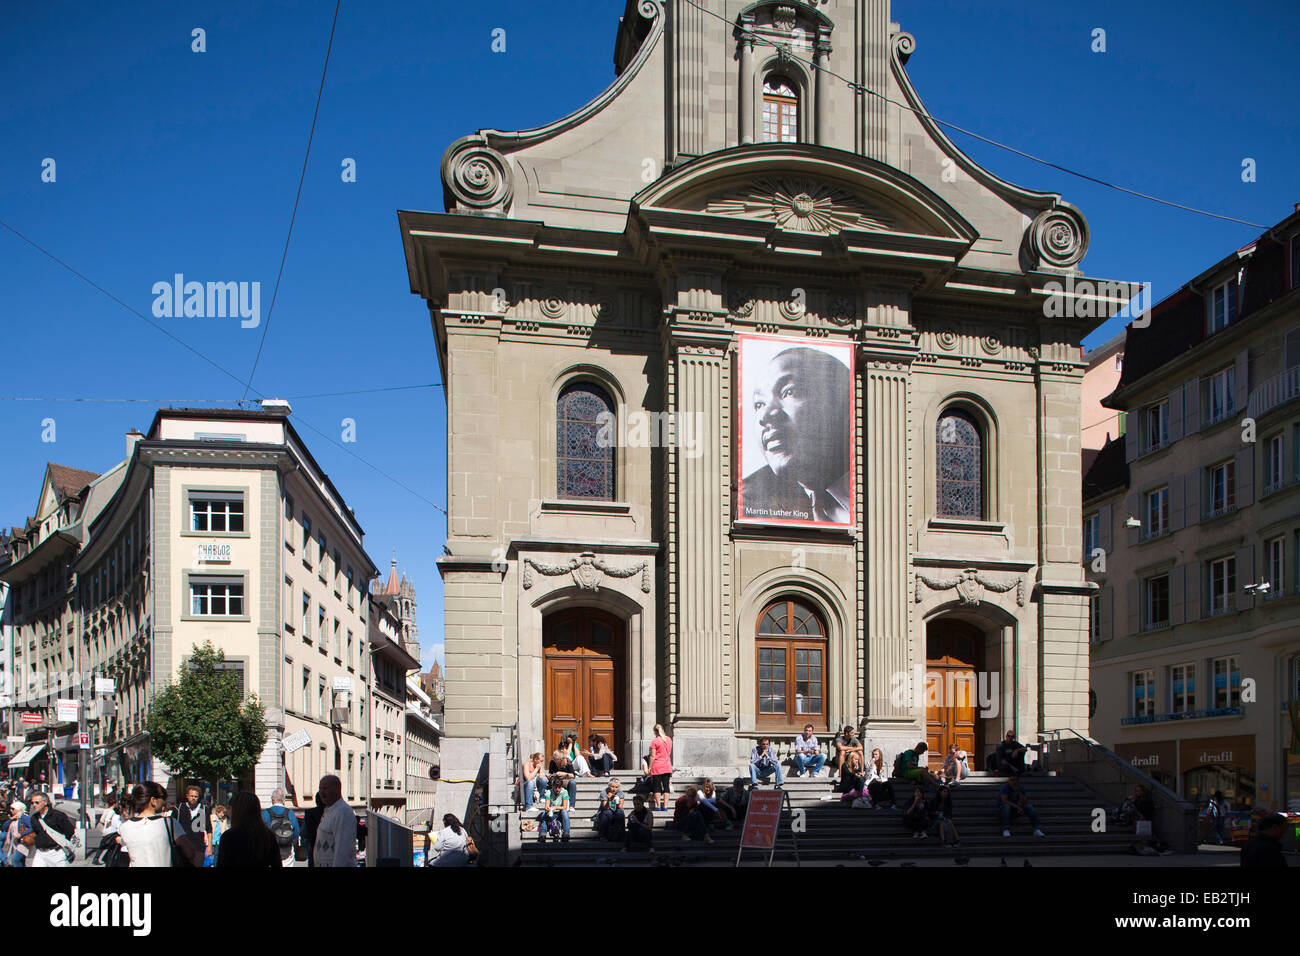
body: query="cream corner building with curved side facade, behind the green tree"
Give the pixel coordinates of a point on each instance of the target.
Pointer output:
(219, 526)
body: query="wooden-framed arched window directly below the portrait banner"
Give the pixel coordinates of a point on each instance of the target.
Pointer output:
(791, 656)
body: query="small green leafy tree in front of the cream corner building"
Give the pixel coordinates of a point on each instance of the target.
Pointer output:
(202, 728)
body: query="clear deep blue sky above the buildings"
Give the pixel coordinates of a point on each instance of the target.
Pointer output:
(170, 161)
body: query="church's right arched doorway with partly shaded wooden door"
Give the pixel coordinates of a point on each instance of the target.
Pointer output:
(954, 660)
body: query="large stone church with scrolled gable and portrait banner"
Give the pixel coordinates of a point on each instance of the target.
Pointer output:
(760, 412)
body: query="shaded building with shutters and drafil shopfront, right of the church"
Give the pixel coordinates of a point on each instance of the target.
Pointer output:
(1195, 514)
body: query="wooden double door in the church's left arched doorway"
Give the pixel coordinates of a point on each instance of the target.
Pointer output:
(583, 678)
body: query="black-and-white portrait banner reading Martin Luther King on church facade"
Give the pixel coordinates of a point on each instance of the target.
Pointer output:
(796, 432)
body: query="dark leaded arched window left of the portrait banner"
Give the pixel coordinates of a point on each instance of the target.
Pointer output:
(584, 443)
